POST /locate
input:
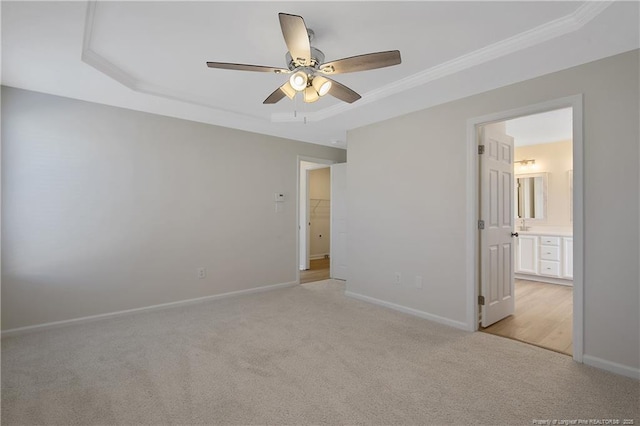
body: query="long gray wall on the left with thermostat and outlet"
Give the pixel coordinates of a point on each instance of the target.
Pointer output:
(106, 209)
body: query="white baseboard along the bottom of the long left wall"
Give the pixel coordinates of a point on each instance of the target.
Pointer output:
(49, 325)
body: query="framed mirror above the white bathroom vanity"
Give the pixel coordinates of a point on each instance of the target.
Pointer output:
(531, 196)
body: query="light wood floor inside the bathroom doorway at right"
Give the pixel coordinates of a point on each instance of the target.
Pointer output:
(543, 317)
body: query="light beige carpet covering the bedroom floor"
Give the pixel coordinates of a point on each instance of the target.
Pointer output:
(302, 355)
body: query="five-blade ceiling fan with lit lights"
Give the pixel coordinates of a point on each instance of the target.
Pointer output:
(308, 69)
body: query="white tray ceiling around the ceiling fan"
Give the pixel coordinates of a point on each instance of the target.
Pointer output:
(150, 56)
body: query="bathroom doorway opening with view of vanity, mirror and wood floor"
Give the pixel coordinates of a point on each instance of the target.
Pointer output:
(542, 166)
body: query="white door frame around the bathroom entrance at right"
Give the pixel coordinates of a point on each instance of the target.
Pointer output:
(473, 182)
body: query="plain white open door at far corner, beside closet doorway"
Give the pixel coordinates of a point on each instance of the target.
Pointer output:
(339, 221)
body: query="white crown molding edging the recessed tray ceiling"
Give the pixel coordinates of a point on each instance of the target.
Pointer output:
(540, 34)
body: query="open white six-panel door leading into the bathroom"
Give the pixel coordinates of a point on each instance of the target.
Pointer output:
(496, 211)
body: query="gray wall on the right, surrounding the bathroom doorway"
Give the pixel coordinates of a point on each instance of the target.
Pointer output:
(418, 161)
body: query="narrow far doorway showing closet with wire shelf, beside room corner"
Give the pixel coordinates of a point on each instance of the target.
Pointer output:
(314, 219)
